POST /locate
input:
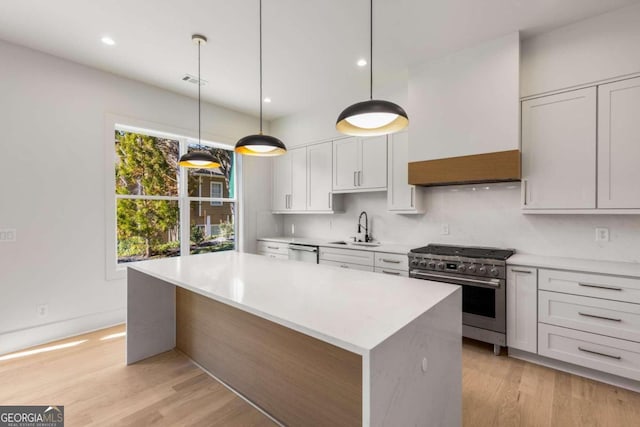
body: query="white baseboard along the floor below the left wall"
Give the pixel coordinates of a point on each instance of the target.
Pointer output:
(41, 334)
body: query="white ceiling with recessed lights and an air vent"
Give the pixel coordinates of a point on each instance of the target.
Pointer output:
(310, 47)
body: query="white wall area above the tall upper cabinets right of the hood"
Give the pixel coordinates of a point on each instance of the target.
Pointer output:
(598, 48)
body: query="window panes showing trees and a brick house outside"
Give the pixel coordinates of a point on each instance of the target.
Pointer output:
(161, 210)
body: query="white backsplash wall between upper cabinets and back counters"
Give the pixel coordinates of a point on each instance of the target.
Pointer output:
(482, 217)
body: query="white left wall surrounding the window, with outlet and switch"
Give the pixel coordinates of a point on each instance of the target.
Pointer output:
(52, 115)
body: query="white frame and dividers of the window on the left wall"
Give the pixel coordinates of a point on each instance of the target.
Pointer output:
(115, 271)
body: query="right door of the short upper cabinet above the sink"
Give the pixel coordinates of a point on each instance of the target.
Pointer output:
(373, 163)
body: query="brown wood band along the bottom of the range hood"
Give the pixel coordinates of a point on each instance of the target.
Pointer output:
(500, 166)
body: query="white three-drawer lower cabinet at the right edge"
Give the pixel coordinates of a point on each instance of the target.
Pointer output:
(590, 320)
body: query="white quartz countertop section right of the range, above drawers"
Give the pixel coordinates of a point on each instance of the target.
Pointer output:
(631, 269)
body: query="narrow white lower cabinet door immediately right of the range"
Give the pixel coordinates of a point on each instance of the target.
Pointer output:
(522, 309)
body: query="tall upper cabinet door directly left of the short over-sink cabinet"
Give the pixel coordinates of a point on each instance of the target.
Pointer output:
(319, 173)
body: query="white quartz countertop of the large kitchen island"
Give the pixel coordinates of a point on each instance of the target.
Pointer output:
(354, 310)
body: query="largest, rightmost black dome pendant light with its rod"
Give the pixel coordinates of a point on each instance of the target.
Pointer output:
(375, 116)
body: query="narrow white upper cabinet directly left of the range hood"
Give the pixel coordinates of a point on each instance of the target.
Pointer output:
(401, 197)
